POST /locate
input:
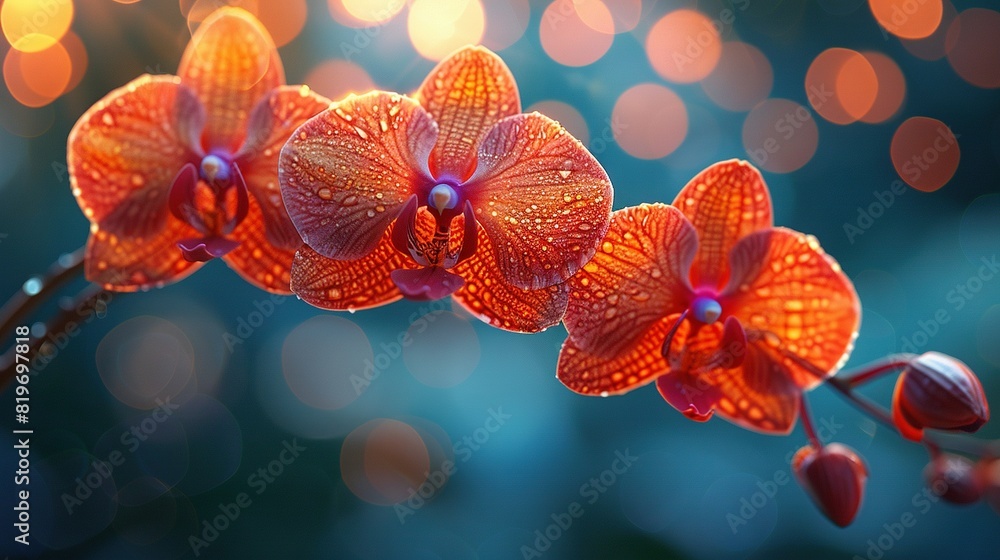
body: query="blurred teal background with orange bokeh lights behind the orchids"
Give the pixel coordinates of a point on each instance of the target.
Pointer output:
(263, 427)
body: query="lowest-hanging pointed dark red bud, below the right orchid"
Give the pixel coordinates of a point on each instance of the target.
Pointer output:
(834, 476)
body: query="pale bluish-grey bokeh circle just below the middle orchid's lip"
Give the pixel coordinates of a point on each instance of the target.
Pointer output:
(443, 350)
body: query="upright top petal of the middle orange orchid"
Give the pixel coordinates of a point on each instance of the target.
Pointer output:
(467, 93)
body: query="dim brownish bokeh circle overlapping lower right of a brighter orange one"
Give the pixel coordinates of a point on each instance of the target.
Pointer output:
(742, 78)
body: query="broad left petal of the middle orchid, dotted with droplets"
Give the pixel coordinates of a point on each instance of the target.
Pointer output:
(346, 173)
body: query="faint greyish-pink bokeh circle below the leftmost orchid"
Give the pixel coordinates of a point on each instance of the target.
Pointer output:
(144, 361)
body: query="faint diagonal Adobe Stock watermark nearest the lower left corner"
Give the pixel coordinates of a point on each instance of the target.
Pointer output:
(131, 439)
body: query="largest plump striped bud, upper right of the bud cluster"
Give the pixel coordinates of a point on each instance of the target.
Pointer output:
(939, 392)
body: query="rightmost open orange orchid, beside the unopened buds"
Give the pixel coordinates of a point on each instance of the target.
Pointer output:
(726, 312)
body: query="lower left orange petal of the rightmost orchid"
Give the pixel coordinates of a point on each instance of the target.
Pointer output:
(637, 365)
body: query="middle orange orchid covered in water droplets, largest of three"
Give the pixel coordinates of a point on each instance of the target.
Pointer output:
(452, 191)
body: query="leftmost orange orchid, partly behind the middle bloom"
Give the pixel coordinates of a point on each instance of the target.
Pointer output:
(173, 171)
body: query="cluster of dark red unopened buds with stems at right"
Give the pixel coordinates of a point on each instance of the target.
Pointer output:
(933, 392)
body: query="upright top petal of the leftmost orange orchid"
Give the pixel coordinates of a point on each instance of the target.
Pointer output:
(231, 63)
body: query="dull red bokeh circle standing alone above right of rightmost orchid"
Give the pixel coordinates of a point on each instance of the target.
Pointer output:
(925, 153)
